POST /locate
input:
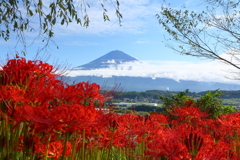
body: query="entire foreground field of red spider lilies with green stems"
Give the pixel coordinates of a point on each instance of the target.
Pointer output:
(44, 118)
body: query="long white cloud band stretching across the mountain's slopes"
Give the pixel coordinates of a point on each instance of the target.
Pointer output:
(177, 70)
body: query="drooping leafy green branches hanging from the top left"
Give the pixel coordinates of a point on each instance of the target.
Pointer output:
(39, 16)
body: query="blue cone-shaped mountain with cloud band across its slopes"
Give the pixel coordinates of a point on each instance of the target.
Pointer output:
(117, 67)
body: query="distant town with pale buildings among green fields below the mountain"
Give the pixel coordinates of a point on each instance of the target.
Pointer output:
(149, 101)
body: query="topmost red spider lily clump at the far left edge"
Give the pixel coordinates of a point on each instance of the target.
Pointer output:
(33, 76)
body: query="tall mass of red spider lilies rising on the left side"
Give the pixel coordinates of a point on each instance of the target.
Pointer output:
(31, 94)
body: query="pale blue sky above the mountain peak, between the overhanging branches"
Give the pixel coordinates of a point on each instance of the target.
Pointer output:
(140, 36)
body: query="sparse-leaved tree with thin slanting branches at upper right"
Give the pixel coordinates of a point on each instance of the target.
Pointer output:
(204, 34)
